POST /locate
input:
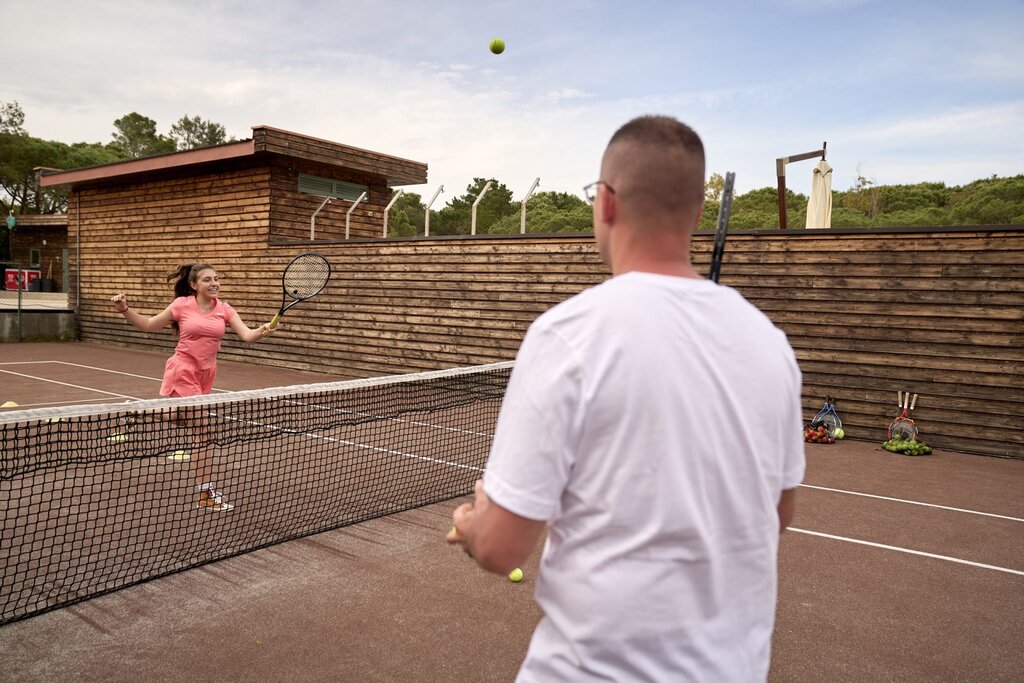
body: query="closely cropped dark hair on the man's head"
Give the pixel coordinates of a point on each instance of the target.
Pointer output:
(658, 164)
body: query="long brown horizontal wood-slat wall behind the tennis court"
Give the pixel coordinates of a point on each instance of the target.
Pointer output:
(940, 313)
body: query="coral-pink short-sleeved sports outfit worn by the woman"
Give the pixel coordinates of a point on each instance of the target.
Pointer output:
(194, 367)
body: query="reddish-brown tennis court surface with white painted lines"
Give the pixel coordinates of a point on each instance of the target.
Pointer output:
(895, 569)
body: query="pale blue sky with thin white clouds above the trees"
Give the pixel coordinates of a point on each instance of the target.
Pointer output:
(904, 92)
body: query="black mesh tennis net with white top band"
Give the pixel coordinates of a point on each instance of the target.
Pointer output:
(94, 499)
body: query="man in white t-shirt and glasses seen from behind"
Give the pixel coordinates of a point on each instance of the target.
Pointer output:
(654, 424)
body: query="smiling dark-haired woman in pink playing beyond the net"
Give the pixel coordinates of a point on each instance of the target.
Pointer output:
(200, 320)
